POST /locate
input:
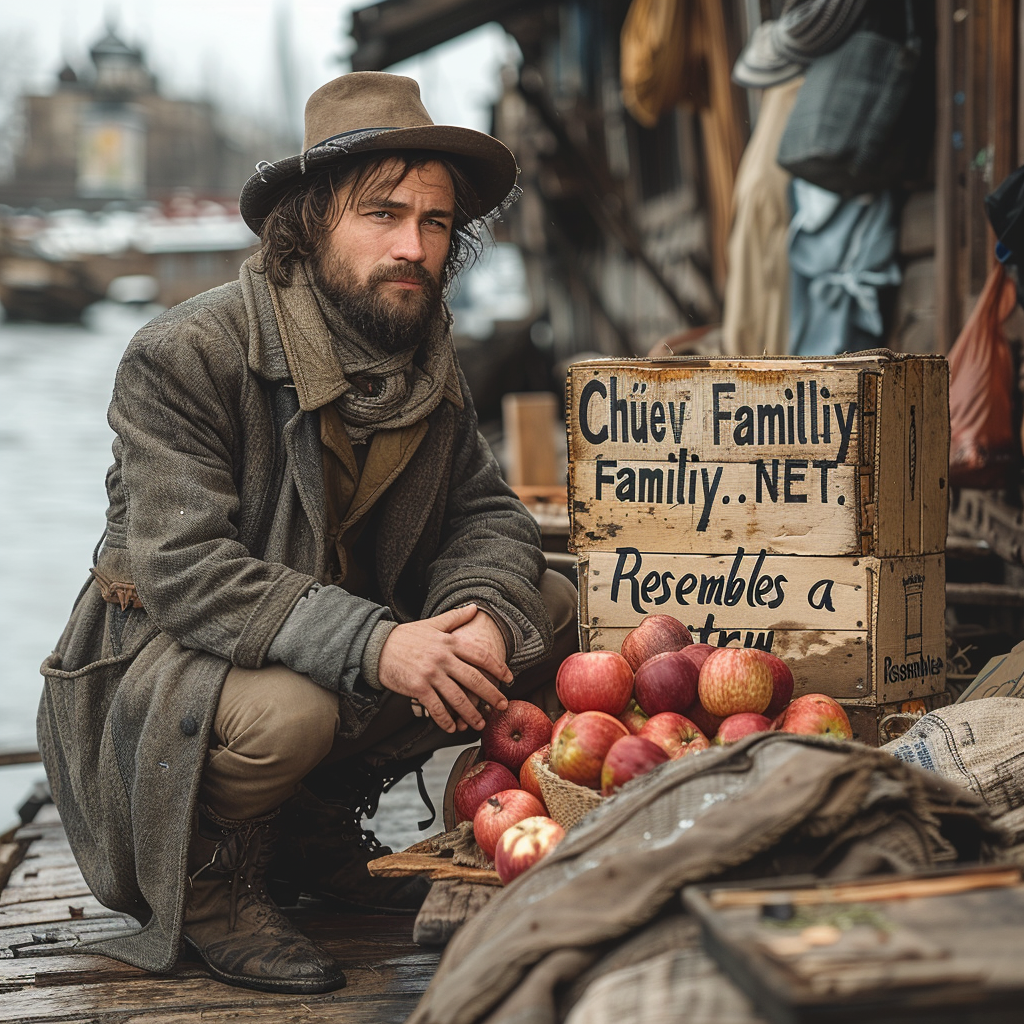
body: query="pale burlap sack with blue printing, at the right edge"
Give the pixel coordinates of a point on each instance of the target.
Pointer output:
(979, 745)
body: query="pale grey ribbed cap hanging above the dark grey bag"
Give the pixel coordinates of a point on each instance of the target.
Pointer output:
(782, 50)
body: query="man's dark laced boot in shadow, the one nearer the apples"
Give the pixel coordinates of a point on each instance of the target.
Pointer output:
(326, 849)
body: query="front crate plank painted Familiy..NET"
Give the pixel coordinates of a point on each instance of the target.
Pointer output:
(785, 505)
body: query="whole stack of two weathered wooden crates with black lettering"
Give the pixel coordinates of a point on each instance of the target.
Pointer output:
(794, 505)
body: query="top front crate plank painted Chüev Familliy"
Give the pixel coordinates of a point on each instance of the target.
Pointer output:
(726, 411)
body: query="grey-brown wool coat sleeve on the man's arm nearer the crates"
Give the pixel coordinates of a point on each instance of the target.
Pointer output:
(491, 547)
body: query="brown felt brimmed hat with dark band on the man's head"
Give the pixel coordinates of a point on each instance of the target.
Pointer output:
(373, 111)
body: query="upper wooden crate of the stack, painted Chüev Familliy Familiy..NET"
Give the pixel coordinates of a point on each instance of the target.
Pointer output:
(796, 457)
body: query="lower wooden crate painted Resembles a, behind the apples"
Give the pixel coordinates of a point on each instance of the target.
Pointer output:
(863, 629)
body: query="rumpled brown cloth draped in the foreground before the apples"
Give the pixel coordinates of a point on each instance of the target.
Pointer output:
(771, 805)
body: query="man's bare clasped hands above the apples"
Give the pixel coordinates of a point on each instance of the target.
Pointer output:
(442, 664)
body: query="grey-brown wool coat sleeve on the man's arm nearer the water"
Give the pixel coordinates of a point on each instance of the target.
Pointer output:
(177, 411)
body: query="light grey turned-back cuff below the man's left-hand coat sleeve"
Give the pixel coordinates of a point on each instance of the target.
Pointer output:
(330, 636)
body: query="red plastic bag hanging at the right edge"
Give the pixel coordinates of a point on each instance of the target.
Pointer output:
(982, 383)
